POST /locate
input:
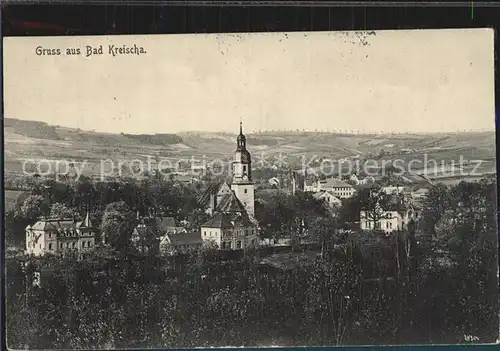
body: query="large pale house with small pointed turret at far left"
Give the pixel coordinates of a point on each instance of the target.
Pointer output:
(60, 235)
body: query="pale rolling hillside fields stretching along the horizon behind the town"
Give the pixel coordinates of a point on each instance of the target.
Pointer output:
(42, 147)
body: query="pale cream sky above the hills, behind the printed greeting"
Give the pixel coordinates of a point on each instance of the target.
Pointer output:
(386, 81)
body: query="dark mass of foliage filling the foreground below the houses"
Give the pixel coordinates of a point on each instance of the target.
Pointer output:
(368, 293)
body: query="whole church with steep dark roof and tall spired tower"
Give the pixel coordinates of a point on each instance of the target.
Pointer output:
(232, 225)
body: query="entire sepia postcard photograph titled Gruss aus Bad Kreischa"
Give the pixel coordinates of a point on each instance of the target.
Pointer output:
(250, 190)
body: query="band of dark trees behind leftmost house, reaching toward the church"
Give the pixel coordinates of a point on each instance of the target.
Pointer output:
(151, 196)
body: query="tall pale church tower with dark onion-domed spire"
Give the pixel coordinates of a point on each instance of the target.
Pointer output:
(242, 184)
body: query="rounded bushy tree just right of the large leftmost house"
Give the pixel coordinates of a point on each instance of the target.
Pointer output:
(117, 225)
